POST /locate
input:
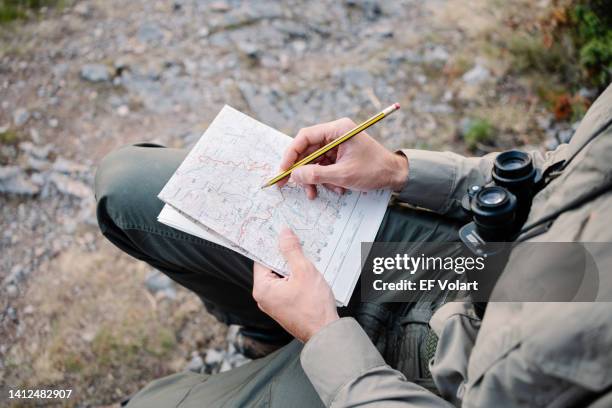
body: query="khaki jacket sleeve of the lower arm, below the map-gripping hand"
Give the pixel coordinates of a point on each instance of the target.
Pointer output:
(347, 370)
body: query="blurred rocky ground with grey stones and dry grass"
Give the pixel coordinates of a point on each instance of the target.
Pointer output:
(96, 75)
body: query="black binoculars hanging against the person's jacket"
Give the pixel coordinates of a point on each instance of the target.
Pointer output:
(500, 208)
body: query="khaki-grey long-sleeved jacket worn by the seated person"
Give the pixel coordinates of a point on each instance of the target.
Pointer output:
(520, 354)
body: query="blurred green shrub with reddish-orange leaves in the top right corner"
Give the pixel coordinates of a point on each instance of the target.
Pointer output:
(562, 52)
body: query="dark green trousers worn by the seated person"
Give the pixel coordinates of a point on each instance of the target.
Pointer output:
(127, 183)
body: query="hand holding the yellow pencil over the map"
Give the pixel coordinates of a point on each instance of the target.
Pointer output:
(360, 163)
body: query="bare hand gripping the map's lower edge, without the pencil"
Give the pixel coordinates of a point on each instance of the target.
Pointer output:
(303, 302)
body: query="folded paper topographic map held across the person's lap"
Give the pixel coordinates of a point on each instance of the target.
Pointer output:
(216, 194)
